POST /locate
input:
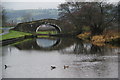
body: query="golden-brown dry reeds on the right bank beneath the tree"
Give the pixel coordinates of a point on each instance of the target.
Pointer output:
(101, 40)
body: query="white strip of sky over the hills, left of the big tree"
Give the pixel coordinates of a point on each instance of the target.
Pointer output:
(30, 5)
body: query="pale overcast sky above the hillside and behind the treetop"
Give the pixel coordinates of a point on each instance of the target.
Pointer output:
(34, 4)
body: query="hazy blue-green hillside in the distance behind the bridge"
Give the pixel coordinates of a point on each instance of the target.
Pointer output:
(37, 14)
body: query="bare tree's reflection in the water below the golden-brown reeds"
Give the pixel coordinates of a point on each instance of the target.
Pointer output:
(83, 48)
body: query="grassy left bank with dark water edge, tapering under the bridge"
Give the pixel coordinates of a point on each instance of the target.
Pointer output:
(17, 36)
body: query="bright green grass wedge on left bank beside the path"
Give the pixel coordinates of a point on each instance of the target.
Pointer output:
(13, 34)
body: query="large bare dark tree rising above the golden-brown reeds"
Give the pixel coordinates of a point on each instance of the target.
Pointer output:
(96, 15)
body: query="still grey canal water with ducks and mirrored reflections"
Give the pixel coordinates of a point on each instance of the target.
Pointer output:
(34, 58)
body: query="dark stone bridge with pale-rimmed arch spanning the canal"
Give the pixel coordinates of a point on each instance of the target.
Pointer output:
(60, 26)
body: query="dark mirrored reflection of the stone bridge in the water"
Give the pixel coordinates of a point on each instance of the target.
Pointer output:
(36, 45)
